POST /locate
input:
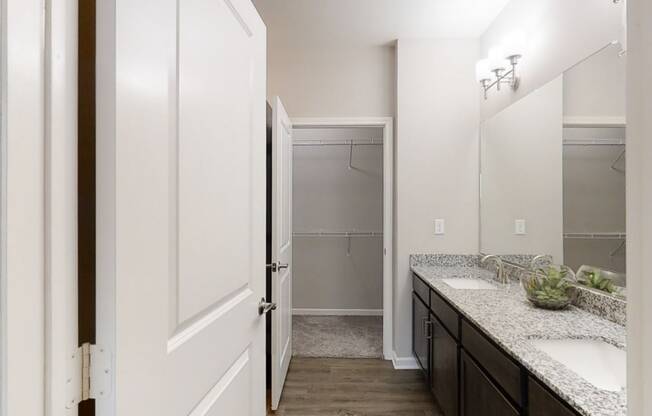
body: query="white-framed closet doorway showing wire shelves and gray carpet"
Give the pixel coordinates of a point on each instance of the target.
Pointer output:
(342, 237)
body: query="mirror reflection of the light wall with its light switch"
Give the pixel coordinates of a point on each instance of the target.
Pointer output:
(525, 138)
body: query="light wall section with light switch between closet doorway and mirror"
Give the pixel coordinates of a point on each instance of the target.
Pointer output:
(436, 160)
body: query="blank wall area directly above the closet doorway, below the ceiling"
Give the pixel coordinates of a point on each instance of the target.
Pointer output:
(318, 81)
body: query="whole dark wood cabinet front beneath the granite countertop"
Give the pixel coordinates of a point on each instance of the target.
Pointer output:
(468, 373)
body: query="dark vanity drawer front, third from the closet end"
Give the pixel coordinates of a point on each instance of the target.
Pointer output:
(506, 373)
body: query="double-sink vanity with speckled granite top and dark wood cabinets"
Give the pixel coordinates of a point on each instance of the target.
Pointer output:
(484, 351)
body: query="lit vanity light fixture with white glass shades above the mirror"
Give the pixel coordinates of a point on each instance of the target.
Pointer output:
(499, 68)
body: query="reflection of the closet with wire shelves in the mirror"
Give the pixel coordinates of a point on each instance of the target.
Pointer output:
(594, 197)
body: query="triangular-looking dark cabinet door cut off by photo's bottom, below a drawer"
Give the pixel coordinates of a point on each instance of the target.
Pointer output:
(479, 395)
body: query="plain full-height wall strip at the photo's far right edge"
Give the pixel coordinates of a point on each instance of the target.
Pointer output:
(639, 207)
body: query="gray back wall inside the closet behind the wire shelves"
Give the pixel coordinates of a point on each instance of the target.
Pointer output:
(331, 197)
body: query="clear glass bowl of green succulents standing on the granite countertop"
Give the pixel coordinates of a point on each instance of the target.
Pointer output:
(551, 287)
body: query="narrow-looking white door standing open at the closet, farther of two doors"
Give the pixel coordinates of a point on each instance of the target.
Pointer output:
(281, 248)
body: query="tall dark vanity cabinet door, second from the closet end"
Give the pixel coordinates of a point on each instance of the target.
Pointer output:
(443, 369)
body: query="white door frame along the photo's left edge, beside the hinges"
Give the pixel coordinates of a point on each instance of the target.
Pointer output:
(38, 205)
